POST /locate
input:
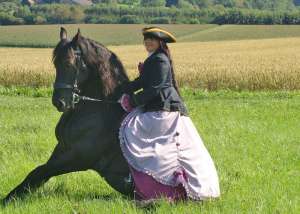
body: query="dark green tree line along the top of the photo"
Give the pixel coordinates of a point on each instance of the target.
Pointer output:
(13, 12)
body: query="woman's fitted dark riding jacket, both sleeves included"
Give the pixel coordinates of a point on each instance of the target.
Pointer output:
(158, 92)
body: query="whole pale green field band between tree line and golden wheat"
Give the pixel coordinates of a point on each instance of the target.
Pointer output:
(121, 34)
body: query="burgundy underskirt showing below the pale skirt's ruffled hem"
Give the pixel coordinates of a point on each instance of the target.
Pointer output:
(147, 187)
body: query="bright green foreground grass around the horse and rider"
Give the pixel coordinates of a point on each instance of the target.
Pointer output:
(253, 138)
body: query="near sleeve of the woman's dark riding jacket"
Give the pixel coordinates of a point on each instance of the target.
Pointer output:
(159, 73)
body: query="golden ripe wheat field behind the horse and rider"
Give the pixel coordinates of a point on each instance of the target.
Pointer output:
(238, 65)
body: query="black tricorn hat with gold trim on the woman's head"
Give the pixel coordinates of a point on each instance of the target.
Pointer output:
(158, 33)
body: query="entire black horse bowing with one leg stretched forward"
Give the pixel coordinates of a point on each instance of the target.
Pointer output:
(88, 83)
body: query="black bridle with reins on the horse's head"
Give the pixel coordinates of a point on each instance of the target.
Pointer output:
(76, 98)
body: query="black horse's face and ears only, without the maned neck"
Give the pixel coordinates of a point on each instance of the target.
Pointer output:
(71, 71)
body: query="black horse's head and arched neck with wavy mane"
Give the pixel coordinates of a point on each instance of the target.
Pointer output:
(78, 63)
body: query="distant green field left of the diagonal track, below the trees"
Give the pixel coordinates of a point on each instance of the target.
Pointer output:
(107, 34)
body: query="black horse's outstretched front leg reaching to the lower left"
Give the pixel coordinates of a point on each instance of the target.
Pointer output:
(57, 165)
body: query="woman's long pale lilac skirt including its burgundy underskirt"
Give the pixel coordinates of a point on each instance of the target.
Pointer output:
(167, 156)
